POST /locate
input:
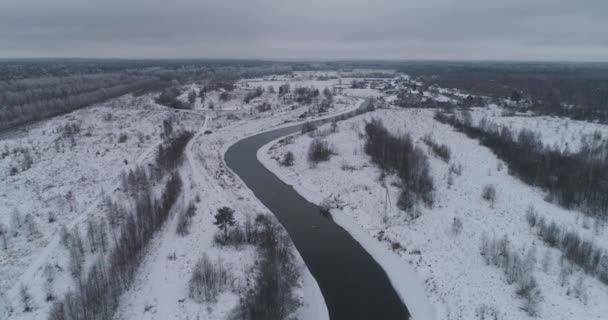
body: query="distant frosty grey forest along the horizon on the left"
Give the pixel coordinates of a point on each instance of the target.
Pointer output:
(32, 90)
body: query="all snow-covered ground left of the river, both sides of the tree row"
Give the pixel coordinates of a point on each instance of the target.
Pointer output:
(70, 174)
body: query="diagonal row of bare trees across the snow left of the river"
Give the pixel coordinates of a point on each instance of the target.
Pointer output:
(97, 291)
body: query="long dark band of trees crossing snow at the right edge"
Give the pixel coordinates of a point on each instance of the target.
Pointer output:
(575, 179)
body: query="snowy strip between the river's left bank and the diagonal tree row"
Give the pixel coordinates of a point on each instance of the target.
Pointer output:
(160, 291)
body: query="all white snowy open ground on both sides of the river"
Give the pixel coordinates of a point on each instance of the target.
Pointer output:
(58, 171)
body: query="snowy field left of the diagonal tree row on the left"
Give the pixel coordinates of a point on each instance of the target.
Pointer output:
(86, 168)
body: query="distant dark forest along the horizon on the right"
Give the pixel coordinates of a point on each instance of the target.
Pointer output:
(579, 91)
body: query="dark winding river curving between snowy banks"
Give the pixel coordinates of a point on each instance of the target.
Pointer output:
(354, 286)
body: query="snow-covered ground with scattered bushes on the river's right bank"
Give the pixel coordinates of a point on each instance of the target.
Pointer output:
(454, 274)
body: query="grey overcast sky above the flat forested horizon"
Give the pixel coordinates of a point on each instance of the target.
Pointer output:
(307, 29)
